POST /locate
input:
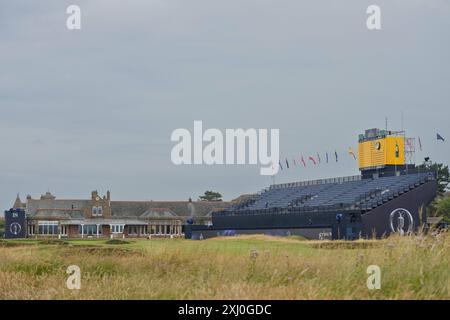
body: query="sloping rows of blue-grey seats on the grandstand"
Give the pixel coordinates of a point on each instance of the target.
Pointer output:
(342, 193)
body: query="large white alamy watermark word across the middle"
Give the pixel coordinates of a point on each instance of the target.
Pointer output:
(236, 146)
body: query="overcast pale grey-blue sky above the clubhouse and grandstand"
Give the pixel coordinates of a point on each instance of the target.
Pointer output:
(94, 109)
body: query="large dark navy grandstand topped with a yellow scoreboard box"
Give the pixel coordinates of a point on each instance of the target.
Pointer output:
(385, 198)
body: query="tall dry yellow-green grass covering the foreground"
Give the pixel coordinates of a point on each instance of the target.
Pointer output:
(251, 267)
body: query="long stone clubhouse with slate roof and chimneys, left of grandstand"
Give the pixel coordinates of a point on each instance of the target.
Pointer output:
(99, 217)
